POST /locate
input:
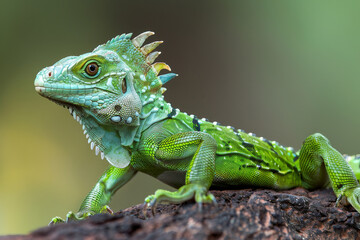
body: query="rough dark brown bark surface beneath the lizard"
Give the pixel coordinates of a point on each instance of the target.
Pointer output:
(240, 214)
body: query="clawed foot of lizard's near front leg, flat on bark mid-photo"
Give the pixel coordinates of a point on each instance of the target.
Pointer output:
(183, 194)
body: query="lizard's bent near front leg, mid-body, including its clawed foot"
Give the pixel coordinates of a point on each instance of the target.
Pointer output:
(201, 147)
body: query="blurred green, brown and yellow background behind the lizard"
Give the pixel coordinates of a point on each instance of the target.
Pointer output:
(280, 69)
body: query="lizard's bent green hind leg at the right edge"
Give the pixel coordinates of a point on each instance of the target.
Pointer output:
(320, 162)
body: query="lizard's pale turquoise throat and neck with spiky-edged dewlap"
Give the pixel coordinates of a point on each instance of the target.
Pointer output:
(115, 142)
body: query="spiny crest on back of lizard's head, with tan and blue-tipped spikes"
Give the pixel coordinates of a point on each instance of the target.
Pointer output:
(141, 59)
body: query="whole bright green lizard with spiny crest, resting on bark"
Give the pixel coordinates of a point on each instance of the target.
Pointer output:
(115, 93)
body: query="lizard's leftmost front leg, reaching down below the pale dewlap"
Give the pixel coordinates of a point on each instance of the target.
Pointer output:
(97, 199)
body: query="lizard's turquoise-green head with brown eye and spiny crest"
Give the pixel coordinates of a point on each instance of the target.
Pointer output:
(110, 88)
